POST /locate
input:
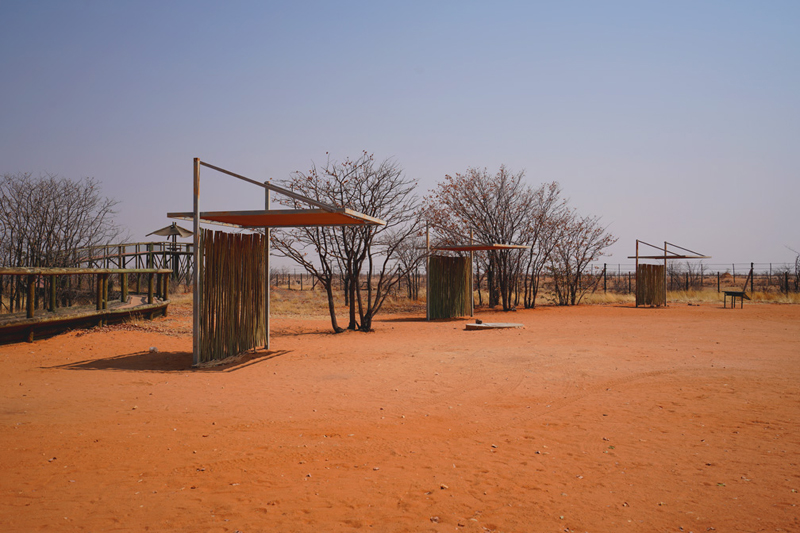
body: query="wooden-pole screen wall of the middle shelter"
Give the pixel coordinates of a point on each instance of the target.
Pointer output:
(449, 295)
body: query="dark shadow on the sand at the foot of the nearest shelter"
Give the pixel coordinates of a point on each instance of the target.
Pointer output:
(165, 362)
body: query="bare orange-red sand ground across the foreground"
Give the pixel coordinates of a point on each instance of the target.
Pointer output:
(595, 418)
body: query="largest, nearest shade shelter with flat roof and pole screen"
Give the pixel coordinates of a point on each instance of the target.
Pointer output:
(231, 275)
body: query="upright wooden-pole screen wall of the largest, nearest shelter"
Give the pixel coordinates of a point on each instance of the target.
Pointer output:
(232, 310)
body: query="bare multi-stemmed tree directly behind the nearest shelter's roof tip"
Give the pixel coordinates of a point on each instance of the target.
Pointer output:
(376, 189)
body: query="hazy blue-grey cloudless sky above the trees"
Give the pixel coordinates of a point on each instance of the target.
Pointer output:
(675, 121)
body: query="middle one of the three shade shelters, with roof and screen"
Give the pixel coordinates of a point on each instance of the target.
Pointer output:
(450, 279)
